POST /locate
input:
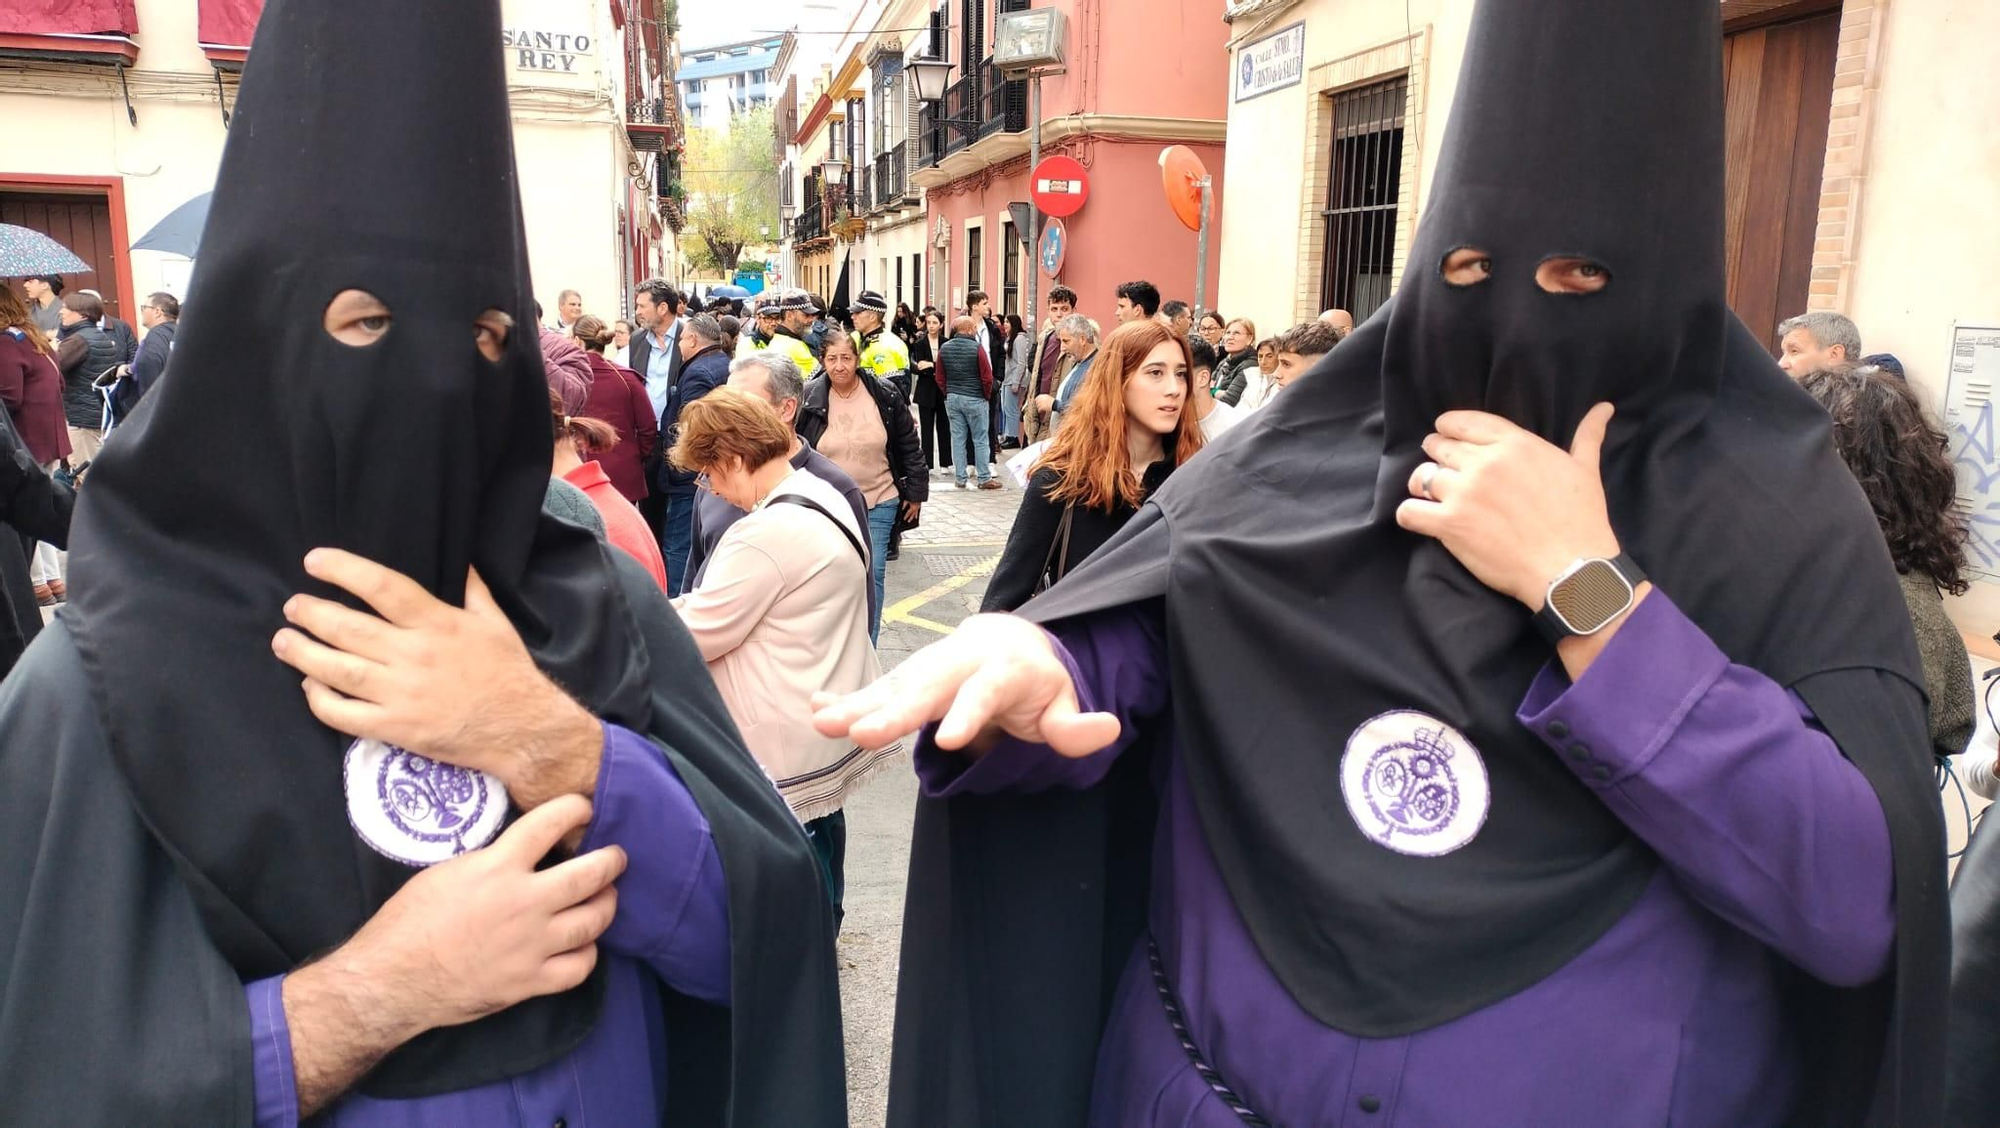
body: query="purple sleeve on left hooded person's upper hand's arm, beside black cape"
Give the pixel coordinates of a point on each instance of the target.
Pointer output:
(673, 901)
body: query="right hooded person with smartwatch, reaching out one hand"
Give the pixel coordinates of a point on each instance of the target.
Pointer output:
(1671, 861)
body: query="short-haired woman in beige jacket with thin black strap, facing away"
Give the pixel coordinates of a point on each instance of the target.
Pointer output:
(783, 611)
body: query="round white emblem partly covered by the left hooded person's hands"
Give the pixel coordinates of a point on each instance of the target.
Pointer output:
(419, 811)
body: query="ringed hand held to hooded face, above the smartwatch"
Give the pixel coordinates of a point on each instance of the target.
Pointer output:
(1515, 509)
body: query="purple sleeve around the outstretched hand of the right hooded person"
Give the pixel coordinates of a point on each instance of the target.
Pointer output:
(1117, 661)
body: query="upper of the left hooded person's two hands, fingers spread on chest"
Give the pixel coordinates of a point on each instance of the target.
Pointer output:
(455, 685)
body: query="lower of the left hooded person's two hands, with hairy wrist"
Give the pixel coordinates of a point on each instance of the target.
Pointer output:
(461, 941)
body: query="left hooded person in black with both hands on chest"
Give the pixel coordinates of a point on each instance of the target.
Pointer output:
(179, 827)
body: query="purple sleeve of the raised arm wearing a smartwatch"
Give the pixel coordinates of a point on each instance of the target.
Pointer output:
(1733, 783)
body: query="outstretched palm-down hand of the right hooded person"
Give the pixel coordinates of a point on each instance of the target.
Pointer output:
(997, 673)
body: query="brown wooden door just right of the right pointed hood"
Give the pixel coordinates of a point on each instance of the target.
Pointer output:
(1779, 85)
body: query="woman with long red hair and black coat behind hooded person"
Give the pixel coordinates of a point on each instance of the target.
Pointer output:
(1131, 429)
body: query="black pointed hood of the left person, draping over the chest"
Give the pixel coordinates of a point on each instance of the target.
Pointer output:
(357, 161)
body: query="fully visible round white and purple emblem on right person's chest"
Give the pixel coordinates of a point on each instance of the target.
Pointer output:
(1415, 785)
